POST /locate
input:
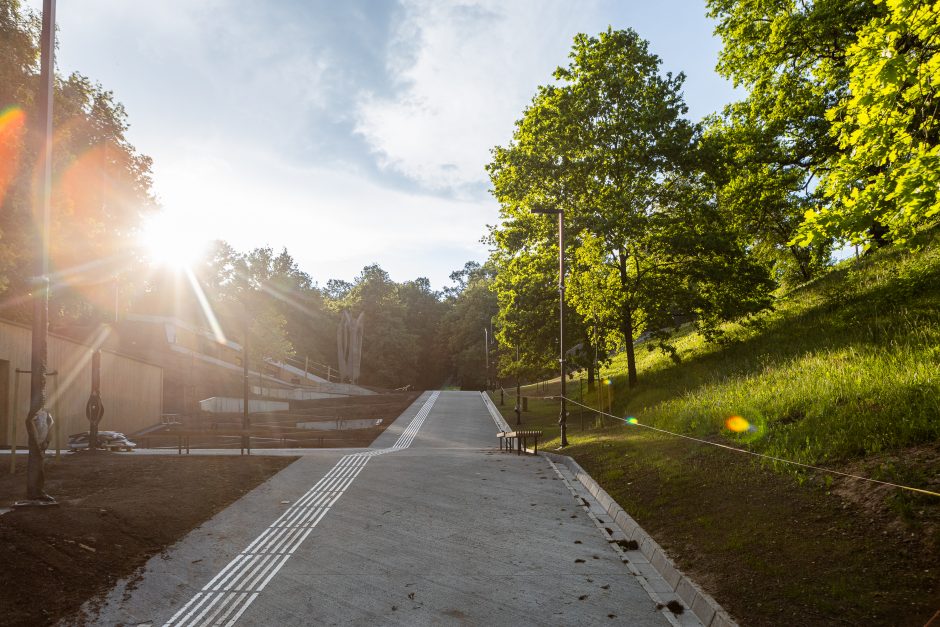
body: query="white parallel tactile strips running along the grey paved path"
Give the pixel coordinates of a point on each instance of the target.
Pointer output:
(225, 598)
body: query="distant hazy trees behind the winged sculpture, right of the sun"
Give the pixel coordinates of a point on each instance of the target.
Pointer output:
(413, 335)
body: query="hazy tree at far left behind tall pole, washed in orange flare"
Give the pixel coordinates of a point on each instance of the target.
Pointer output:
(102, 184)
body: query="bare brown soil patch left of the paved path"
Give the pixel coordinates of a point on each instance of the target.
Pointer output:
(116, 511)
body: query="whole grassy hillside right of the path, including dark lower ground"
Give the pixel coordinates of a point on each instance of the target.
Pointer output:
(843, 373)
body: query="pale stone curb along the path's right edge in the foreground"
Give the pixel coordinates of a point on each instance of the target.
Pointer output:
(702, 605)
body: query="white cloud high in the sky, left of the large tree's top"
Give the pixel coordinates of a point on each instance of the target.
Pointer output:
(465, 69)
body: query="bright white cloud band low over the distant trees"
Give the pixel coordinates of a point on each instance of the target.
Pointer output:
(332, 222)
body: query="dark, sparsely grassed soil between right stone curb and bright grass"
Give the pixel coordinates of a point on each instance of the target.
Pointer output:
(772, 548)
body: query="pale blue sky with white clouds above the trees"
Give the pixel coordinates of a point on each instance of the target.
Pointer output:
(351, 132)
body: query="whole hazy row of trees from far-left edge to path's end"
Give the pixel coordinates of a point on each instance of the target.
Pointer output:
(102, 194)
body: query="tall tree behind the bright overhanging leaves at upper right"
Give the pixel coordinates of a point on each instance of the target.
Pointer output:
(768, 152)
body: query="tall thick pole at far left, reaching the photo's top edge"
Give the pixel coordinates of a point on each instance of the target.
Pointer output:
(35, 476)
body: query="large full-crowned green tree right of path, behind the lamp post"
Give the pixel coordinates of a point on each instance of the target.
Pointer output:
(596, 147)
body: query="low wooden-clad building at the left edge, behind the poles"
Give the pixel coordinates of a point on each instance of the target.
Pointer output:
(131, 389)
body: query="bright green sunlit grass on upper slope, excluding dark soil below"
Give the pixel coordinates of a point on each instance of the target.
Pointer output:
(842, 368)
